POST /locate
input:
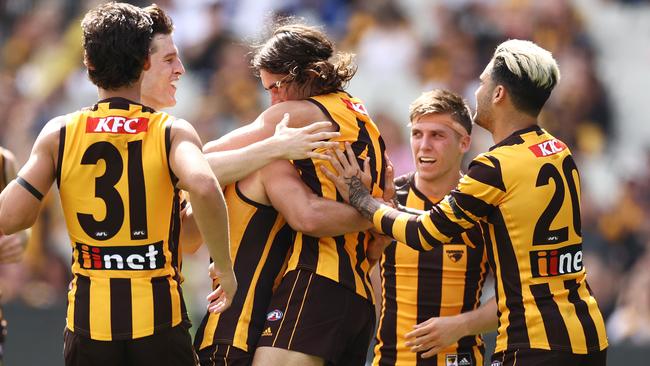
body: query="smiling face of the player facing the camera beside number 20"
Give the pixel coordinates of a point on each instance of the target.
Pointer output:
(437, 149)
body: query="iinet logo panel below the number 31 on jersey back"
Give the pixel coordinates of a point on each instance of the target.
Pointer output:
(142, 257)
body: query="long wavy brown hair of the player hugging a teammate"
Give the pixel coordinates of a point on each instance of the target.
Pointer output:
(303, 52)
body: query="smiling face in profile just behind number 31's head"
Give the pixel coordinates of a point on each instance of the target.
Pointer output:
(159, 82)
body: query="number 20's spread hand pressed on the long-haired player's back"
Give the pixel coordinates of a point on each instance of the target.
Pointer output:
(346, 167)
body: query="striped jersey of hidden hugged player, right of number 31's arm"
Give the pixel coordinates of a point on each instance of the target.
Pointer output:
(260, 241)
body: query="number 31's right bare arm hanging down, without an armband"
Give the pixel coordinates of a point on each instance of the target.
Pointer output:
(209, 208)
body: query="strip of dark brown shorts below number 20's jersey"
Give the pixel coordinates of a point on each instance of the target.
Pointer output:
(541, 357)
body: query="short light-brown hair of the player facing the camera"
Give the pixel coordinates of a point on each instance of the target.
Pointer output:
(440, 101)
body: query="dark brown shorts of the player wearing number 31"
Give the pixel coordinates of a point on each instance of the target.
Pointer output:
(171, 347)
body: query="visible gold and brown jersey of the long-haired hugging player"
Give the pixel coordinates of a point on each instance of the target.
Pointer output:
(342, 258)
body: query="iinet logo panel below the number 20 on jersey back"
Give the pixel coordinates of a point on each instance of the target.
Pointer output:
(556, 262)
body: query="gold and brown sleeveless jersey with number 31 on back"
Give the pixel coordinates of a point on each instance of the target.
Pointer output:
(122, 213)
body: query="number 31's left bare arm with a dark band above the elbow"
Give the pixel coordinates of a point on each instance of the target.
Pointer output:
(21, 200)
